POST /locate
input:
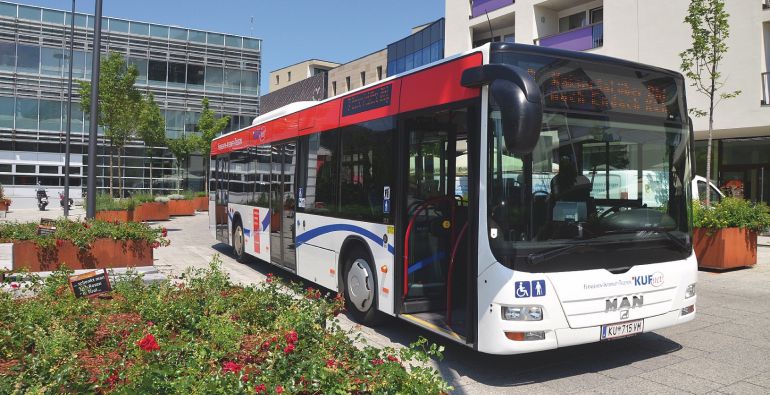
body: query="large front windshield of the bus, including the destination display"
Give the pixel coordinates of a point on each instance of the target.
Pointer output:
(607, 185)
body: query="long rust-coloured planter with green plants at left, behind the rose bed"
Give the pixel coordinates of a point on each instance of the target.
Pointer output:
(82, 245)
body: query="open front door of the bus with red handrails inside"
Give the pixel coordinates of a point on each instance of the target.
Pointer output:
(435, 243)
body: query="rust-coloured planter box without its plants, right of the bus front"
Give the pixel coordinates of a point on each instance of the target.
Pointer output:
(725, 248)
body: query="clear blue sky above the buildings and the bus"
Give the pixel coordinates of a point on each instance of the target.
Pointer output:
(291, 30)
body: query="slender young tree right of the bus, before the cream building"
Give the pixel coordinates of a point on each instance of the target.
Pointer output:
(700, 63)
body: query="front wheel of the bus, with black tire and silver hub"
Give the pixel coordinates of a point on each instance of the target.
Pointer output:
(360, 287)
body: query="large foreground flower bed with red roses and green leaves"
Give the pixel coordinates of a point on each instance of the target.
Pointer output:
(207, 336)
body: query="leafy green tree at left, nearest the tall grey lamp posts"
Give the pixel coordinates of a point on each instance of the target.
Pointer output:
(119, 104)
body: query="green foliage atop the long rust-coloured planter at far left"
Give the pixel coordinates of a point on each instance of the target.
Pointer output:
(81, 234)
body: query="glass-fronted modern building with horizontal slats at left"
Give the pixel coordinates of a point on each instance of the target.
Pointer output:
(180, 66)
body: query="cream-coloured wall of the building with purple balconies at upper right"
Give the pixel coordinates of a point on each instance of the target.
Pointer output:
(651, 32)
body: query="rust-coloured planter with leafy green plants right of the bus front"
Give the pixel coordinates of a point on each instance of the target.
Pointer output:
(725, 234)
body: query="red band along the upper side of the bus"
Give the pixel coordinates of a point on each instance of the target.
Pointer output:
(436, 85)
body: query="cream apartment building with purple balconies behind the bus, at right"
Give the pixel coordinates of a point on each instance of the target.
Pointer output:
(651, 32)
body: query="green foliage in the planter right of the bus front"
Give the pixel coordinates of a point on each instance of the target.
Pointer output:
(732, 213)
